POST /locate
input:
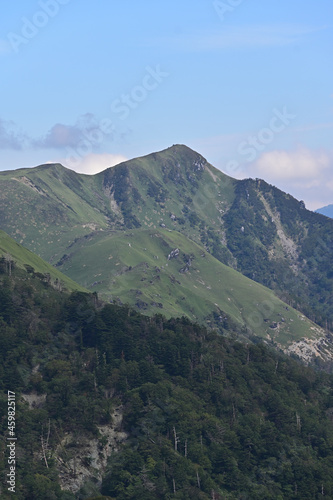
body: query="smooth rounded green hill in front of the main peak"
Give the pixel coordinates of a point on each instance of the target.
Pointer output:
(134, 267)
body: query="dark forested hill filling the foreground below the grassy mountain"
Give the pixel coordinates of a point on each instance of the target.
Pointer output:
(115, 403)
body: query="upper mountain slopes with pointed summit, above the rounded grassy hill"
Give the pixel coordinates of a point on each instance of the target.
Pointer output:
(52, 206)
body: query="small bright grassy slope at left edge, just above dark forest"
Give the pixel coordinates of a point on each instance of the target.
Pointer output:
(23, 256)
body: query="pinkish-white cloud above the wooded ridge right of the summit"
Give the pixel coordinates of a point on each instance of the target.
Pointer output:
(291, 165)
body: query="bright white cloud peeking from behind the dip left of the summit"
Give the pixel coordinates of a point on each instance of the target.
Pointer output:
(93, 163)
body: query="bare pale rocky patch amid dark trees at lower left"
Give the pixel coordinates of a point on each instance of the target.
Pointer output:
(82, 459)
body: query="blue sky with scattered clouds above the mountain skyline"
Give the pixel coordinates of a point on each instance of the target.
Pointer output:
(247, 83)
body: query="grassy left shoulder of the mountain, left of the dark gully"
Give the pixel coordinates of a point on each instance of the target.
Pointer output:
(53, 205)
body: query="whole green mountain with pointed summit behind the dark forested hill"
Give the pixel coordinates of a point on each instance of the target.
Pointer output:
(157, 231)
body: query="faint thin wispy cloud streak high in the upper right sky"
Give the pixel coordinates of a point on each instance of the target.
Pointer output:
(238, 37)
